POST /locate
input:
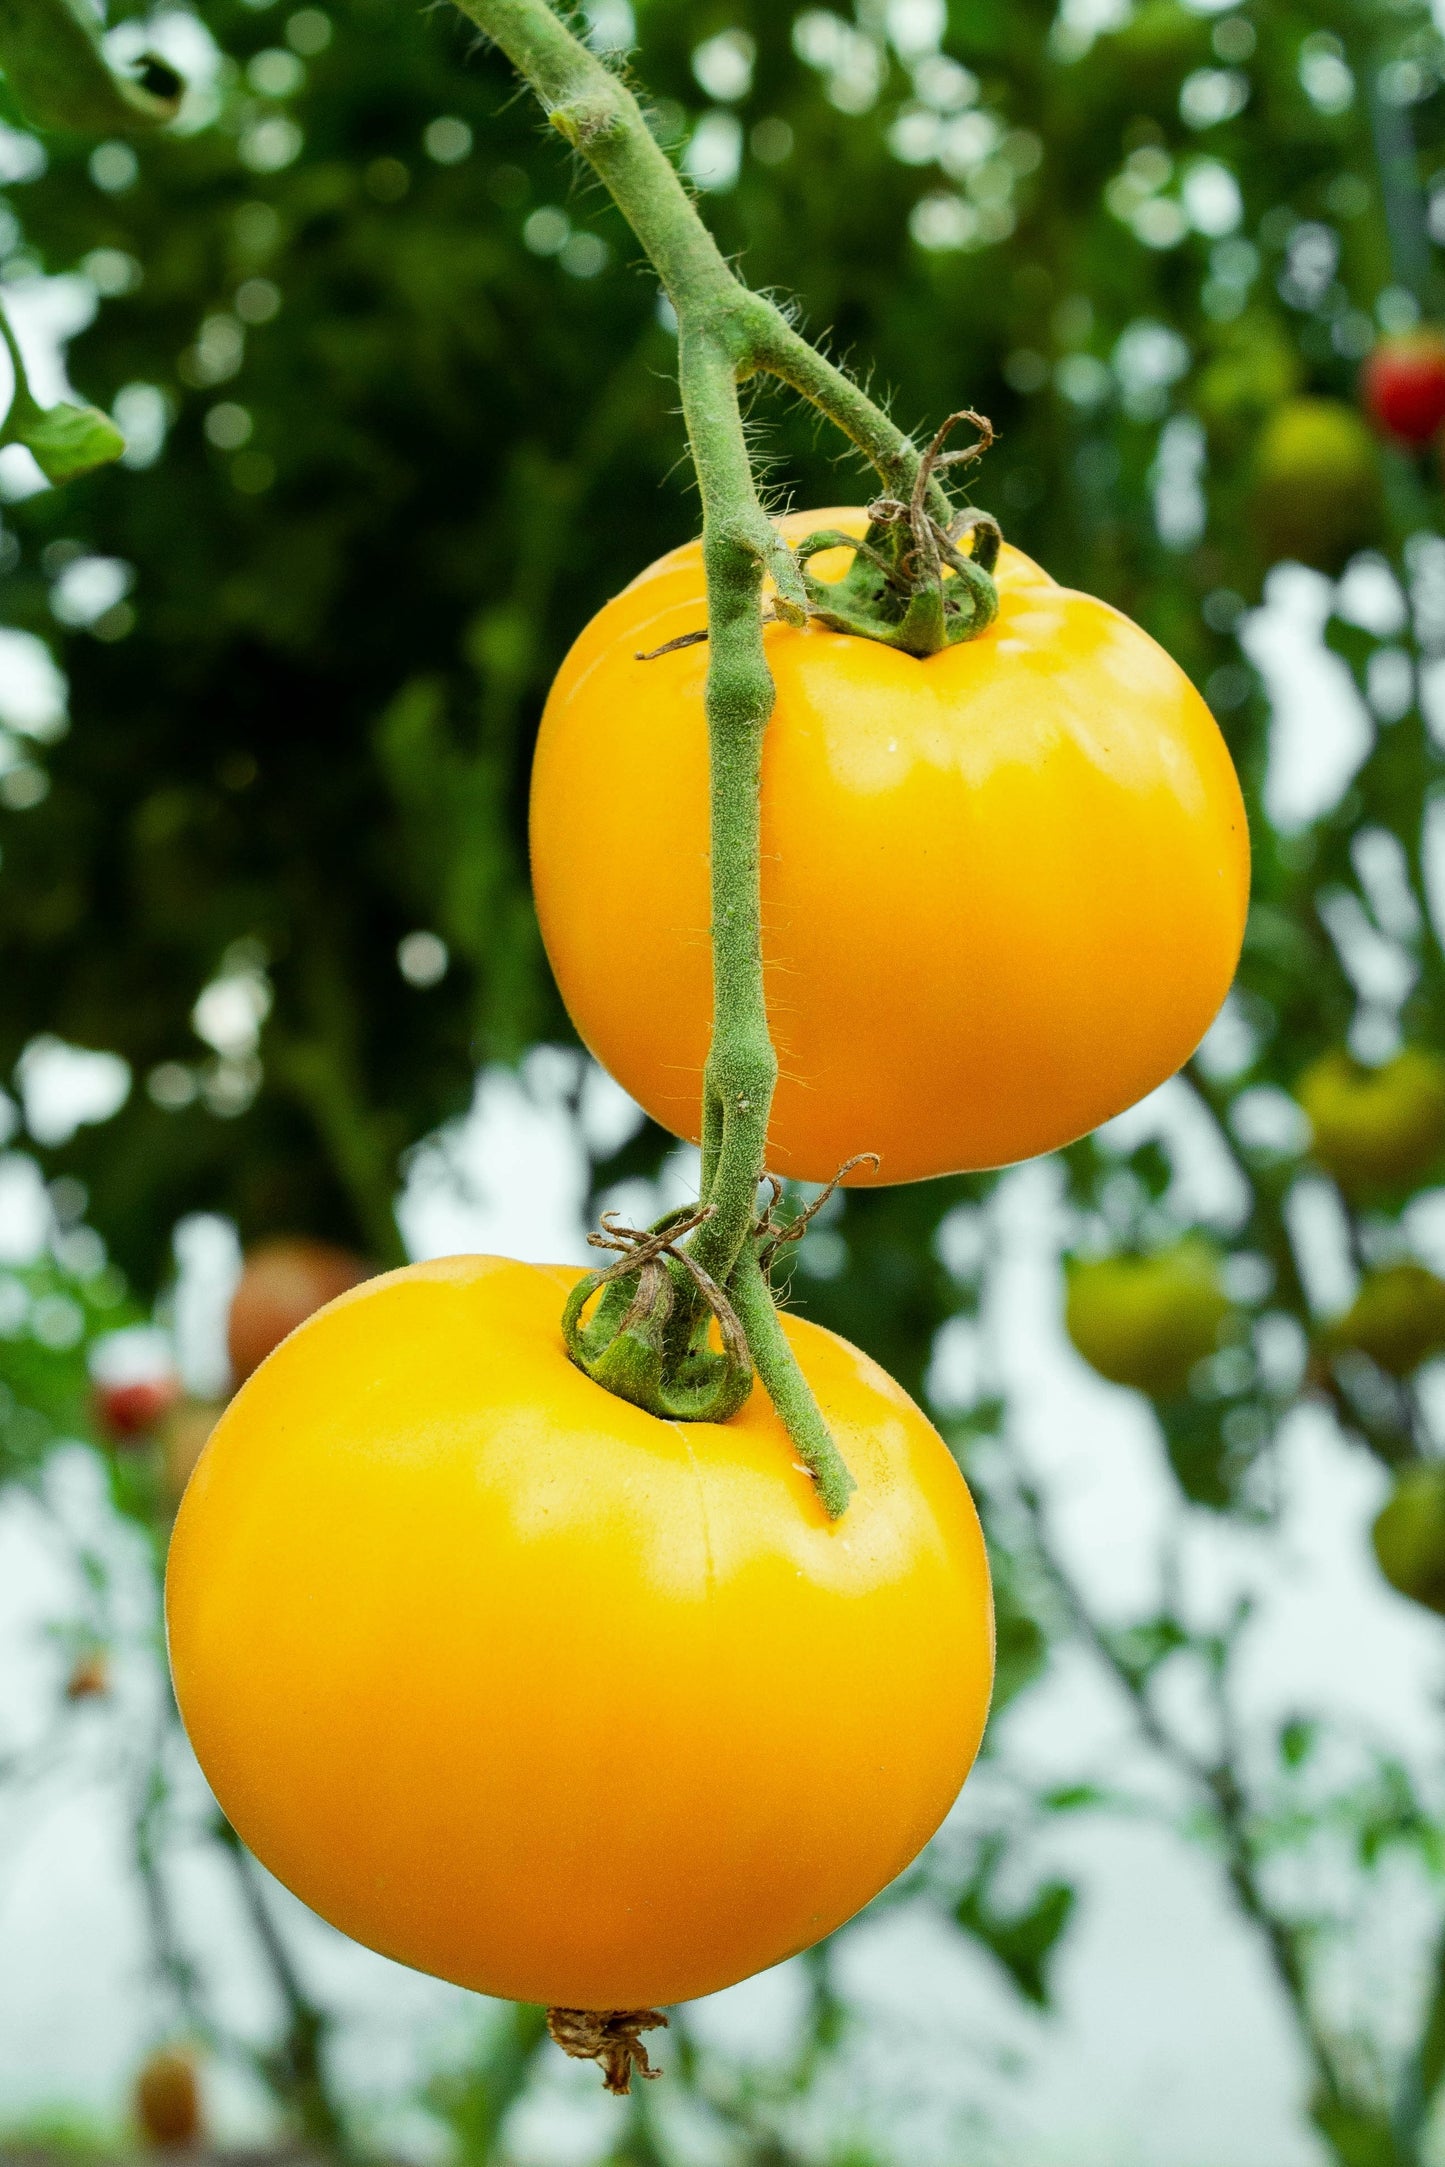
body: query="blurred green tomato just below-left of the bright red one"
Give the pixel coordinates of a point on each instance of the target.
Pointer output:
(1318, 491)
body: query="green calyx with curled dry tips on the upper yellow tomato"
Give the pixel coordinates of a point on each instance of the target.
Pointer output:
(898, 588)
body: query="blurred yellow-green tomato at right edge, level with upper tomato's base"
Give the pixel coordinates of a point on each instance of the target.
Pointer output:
(1377, 1128)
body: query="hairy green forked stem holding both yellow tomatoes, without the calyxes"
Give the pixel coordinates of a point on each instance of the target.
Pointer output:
(727, 335)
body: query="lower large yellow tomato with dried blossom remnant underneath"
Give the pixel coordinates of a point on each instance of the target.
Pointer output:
(534, 1691)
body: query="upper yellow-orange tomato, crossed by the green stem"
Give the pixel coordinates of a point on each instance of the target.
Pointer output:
(1004, 890)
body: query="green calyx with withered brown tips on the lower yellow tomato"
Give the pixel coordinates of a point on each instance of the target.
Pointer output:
(649, 1336)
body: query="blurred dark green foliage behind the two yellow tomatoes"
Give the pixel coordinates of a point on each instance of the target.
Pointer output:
(402, 417)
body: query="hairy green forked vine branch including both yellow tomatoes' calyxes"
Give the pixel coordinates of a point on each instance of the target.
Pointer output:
(922, 580)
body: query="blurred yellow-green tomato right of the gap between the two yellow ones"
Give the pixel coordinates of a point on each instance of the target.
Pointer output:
(1147, 1321)
